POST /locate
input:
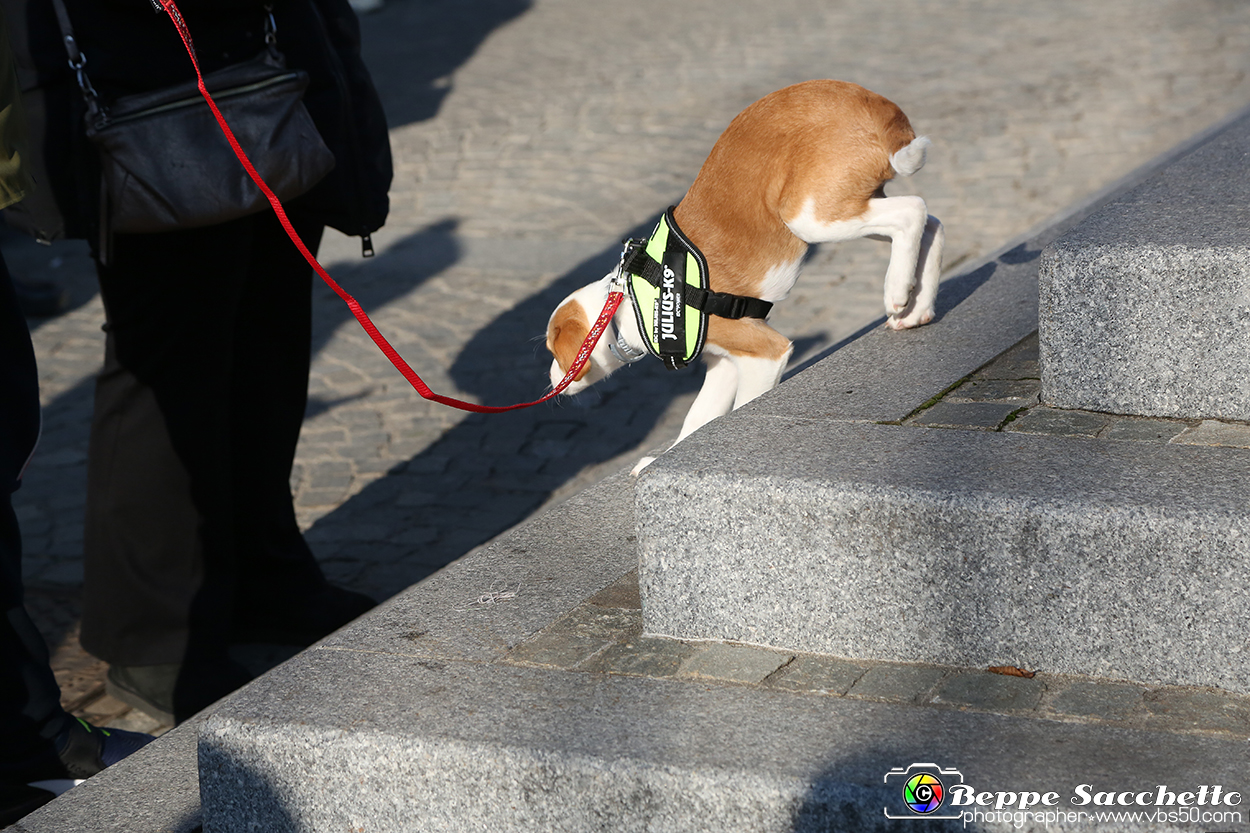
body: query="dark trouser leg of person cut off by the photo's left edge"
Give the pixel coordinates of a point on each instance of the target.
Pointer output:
(31, 712)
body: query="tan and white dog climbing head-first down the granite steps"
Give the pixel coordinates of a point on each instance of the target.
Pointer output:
(806, 164)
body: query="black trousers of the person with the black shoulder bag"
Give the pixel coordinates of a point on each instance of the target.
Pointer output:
(198, 412)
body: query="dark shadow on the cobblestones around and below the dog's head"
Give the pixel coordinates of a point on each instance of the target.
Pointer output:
(489, 472)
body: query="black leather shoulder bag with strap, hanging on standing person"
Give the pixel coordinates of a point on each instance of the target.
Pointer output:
(164, 162)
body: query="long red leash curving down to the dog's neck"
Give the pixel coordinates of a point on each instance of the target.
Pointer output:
(614, 298)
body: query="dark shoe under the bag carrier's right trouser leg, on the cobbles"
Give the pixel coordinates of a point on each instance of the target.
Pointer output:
(303, 620)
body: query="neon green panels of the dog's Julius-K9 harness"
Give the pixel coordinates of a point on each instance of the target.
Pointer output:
(673, 331)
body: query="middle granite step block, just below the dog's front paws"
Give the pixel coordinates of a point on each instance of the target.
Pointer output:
(961, 548)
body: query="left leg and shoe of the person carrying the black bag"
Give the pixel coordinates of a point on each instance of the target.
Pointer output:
(159, 538)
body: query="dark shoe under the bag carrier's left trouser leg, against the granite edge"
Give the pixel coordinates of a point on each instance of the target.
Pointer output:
(178, 691)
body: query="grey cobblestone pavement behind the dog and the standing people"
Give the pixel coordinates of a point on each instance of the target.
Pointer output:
(531, 137)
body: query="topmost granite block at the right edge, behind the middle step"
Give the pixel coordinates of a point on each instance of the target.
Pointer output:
(1146, 306)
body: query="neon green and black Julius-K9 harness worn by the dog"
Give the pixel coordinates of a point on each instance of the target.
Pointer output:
(668, 285)
